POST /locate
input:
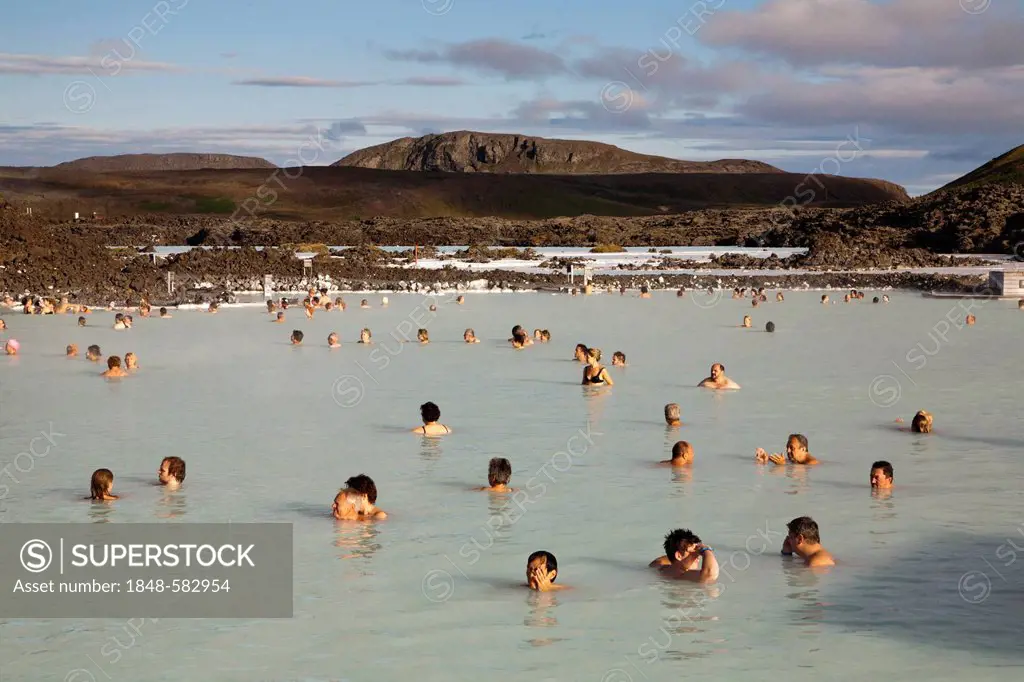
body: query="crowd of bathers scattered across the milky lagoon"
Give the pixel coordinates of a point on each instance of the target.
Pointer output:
(686, 558)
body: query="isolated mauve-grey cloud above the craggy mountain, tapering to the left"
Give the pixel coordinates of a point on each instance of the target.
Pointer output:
(503, 58)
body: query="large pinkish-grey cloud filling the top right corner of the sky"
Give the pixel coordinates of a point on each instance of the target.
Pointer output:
(899, 33)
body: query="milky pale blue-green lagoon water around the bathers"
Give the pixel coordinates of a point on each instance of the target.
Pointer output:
(929, 585)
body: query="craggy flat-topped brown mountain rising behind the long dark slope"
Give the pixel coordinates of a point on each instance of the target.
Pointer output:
(467, 152)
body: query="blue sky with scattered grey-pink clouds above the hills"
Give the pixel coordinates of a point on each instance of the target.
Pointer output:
(914, 92)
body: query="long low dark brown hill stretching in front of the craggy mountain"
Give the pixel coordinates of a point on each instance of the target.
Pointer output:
(333, 194)
